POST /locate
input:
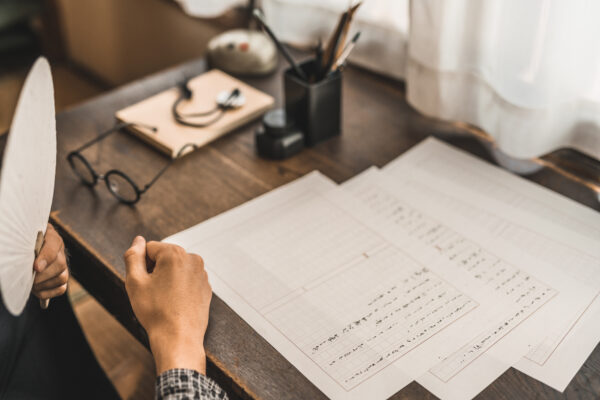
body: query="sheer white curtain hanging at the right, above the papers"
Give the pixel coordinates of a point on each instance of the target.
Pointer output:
(525, 71)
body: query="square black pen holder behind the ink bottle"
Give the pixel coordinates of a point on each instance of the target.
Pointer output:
(315, 106)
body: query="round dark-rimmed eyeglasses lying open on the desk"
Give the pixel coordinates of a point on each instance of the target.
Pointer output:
(117, 182)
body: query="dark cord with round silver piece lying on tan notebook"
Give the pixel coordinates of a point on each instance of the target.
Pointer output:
(225, 101)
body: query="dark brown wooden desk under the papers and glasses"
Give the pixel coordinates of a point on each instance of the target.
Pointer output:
(378, 125)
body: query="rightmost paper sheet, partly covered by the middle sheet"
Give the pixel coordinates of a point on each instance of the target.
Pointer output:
(543, 223)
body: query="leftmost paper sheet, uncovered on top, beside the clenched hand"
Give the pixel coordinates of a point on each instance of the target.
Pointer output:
(349, 310)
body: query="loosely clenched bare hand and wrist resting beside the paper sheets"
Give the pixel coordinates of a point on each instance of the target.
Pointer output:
(171, 302)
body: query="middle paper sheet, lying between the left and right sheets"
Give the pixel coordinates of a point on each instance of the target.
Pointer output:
(475, 365)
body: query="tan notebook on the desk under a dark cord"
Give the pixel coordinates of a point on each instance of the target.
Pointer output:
(171, 136)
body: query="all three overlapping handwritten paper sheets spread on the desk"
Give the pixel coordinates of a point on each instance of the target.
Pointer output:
(439, 268)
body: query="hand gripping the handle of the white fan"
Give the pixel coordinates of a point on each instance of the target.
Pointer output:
(51, 267)
